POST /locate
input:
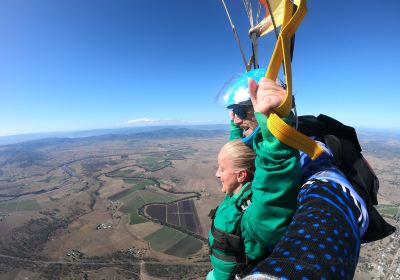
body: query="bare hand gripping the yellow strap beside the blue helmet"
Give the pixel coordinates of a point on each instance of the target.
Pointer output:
(266, 96)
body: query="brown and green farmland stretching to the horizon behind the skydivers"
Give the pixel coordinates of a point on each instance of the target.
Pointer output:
(136, 206)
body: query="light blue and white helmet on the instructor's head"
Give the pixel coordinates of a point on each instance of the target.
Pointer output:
(236, 90)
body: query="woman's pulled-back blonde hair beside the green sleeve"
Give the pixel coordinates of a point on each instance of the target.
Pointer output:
(241, 155)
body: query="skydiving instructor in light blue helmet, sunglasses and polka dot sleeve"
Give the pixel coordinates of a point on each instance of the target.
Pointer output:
(323, 239)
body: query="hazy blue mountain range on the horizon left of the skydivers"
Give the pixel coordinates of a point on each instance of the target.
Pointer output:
(167, 130)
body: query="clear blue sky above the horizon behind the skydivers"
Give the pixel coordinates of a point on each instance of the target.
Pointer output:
(86, 64)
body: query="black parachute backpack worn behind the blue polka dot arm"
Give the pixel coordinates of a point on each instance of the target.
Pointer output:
(343, 142)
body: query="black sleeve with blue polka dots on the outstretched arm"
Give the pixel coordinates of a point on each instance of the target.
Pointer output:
(323, 240)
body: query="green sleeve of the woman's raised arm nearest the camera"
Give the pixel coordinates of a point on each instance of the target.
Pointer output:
(275, 187)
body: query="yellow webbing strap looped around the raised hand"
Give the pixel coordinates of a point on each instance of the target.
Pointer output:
(276, 125)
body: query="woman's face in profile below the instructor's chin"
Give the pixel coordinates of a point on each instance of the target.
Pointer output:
(227, 175)
